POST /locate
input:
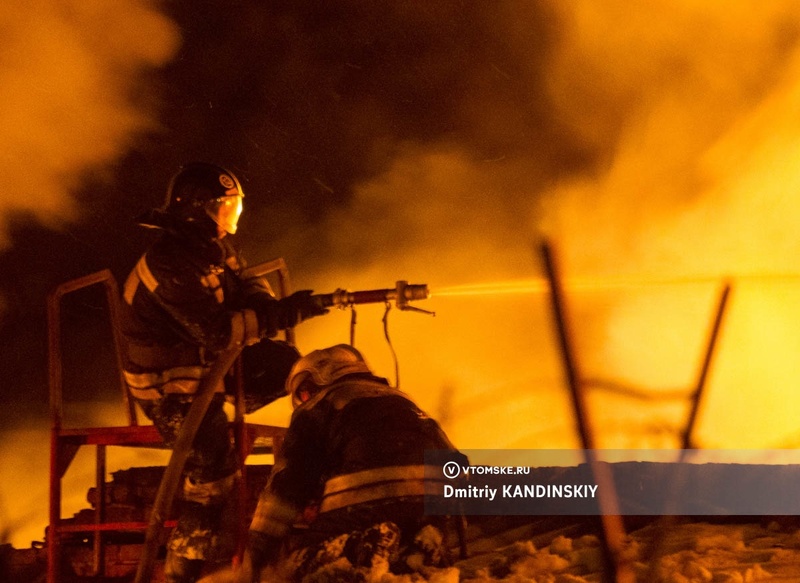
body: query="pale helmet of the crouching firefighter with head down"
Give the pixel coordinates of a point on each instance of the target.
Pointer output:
(323, 367)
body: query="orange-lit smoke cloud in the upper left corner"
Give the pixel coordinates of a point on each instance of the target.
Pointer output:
(71, 99)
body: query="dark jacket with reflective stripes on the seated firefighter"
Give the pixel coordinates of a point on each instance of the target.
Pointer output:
(184, 302)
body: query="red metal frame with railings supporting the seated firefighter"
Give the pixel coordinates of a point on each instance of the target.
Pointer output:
(65, 442)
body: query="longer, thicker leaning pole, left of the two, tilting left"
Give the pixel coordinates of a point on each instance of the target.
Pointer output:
(621, 570)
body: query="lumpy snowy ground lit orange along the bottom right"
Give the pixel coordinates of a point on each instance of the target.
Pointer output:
(688, 552)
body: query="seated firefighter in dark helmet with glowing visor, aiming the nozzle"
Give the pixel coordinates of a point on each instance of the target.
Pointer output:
(185, 301)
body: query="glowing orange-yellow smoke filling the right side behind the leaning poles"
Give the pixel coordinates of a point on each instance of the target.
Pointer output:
(685, 120)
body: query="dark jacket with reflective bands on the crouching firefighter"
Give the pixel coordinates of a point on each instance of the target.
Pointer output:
(355, 442)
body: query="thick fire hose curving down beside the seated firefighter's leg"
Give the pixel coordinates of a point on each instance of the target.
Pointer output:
(177, 461)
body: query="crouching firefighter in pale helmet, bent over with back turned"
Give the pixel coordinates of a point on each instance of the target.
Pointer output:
(352, 466)
